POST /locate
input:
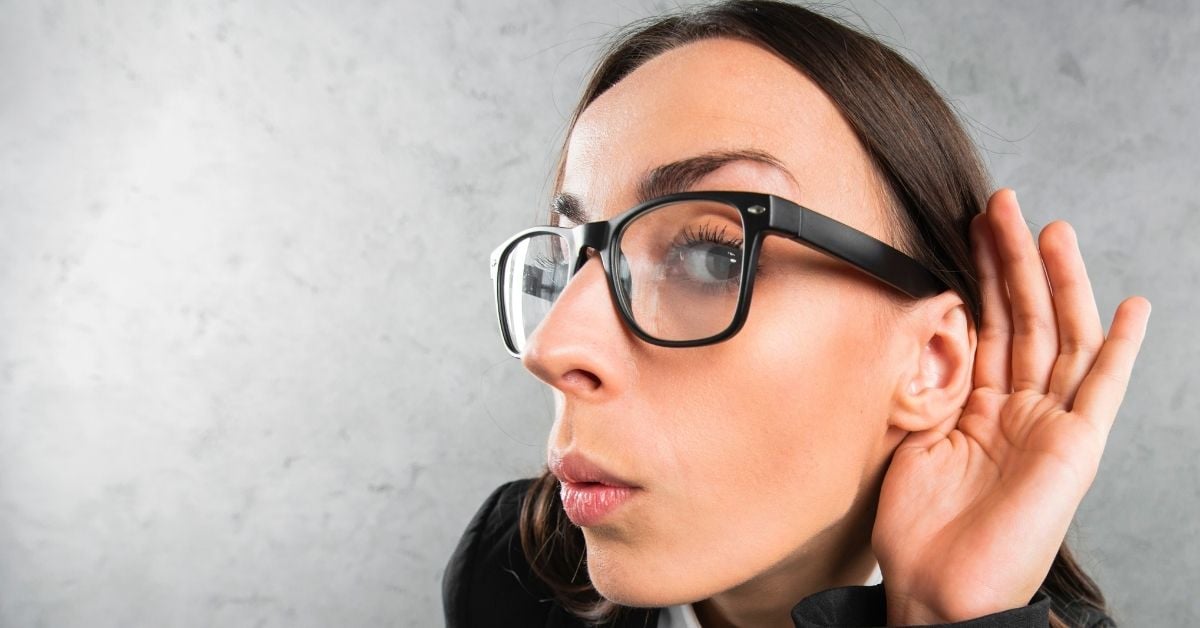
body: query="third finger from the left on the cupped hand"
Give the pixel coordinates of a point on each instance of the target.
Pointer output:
(1081, 333)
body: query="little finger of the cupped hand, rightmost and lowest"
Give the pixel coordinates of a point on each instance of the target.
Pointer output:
(1101, 393)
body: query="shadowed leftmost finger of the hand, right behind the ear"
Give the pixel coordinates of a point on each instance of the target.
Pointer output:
(995, 348)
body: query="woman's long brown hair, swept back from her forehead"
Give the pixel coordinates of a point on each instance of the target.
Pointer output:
(932, 177)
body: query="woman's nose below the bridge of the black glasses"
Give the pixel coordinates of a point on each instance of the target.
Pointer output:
(581, 346)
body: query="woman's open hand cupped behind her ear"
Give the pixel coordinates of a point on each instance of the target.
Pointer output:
(971, 516)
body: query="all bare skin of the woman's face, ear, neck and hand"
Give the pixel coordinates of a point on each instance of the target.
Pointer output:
(765, 463)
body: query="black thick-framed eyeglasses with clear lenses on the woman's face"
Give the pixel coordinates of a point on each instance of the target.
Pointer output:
(681, 268)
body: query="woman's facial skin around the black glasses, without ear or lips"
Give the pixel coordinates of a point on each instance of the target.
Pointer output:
(763, 452)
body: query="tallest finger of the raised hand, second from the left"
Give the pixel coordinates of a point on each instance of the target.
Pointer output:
(1035, 331)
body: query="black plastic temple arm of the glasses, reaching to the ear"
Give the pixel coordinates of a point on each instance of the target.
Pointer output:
(856, 248)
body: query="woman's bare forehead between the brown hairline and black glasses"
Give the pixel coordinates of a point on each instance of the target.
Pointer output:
(721, 95)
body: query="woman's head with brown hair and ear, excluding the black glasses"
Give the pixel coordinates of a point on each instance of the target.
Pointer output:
(759, 458)
